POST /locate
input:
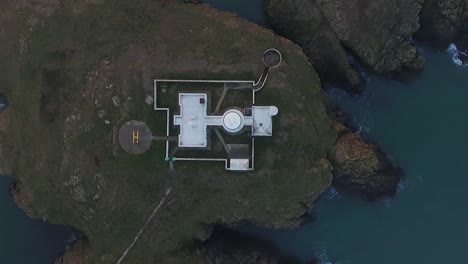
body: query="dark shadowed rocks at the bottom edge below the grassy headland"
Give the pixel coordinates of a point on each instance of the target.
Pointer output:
(231, 247)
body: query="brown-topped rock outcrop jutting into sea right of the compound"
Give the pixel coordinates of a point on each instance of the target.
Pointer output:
(362, 167)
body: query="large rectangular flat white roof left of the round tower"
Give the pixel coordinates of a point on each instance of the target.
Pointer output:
(192, 120)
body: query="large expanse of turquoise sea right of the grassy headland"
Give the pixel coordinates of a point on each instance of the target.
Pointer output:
(423, 126)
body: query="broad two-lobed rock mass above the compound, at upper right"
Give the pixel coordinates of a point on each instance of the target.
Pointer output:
(378, 33)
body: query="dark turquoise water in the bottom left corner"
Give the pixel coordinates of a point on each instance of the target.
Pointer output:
(24, 240)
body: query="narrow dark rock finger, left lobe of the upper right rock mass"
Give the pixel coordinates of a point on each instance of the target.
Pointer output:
(302, 22)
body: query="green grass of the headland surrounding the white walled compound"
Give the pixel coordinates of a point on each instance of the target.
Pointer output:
(141, 39)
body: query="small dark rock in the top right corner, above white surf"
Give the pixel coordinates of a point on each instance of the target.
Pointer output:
(444, 22)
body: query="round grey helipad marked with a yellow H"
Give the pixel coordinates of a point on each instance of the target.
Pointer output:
(135, 137)
